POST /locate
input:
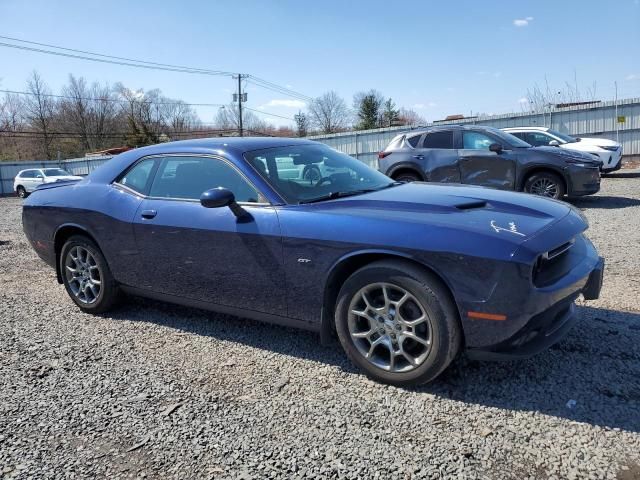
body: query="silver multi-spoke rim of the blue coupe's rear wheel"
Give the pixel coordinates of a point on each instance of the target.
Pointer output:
(83, 274)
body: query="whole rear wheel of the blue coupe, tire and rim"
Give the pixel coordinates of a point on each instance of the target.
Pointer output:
(86, 275)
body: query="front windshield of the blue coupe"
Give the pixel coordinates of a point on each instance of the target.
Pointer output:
(304, 173)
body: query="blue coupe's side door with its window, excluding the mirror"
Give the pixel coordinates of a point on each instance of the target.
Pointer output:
(210, 254)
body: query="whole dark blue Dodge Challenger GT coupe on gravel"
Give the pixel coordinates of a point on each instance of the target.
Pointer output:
(293, 232)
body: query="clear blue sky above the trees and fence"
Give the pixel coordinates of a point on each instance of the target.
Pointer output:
(438, 58)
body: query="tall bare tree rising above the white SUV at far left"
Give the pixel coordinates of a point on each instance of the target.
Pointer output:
(39, 109)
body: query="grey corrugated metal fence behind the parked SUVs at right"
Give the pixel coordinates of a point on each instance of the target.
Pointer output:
(618, 121)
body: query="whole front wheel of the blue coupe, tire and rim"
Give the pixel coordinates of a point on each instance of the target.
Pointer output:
(397, 323)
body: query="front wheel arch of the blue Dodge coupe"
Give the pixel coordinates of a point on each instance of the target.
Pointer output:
(344, 267)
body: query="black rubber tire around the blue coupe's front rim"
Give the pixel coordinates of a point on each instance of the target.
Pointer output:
(436, 302)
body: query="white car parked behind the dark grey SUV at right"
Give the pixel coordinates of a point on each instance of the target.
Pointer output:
(608, 151)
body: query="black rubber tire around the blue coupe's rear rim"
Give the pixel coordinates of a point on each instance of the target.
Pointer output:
(108, 292)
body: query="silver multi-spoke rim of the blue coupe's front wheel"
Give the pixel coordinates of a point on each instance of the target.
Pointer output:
(389, 327)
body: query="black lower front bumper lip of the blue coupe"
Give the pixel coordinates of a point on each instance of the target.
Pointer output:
(543, 329)
